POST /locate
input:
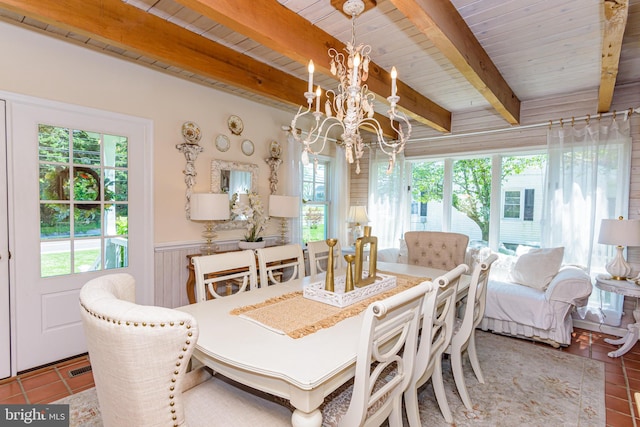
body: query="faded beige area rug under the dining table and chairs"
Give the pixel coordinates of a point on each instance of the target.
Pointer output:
(525, 385)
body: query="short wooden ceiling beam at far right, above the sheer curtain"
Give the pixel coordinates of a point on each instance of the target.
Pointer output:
(615, 14)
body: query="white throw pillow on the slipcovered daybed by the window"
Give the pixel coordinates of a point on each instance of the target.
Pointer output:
(537, 267)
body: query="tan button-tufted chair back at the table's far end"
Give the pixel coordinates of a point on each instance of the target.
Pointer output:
(436, 249)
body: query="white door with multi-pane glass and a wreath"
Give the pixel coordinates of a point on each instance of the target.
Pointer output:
(81, 202)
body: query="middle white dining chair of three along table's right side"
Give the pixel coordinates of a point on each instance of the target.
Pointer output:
(436, 332)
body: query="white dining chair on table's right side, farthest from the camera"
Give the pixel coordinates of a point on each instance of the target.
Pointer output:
(463, 338)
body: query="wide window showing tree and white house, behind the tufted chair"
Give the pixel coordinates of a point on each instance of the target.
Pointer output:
(469, 181)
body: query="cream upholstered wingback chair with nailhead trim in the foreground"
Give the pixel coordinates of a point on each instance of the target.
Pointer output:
(140, 357)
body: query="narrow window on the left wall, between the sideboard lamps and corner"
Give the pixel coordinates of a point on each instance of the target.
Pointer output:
(315, 200)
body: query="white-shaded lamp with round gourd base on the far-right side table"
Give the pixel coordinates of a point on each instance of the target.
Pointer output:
(619, 232)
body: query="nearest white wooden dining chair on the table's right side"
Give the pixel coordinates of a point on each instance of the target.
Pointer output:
(384, 363)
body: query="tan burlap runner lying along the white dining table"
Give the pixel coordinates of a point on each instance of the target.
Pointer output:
(296, 316)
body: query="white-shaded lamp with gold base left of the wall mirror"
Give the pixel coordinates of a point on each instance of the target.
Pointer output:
(209, 207)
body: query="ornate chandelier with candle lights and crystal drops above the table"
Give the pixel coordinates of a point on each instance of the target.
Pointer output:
(350, 105)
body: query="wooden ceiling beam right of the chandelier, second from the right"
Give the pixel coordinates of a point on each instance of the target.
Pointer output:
(442, 24)
